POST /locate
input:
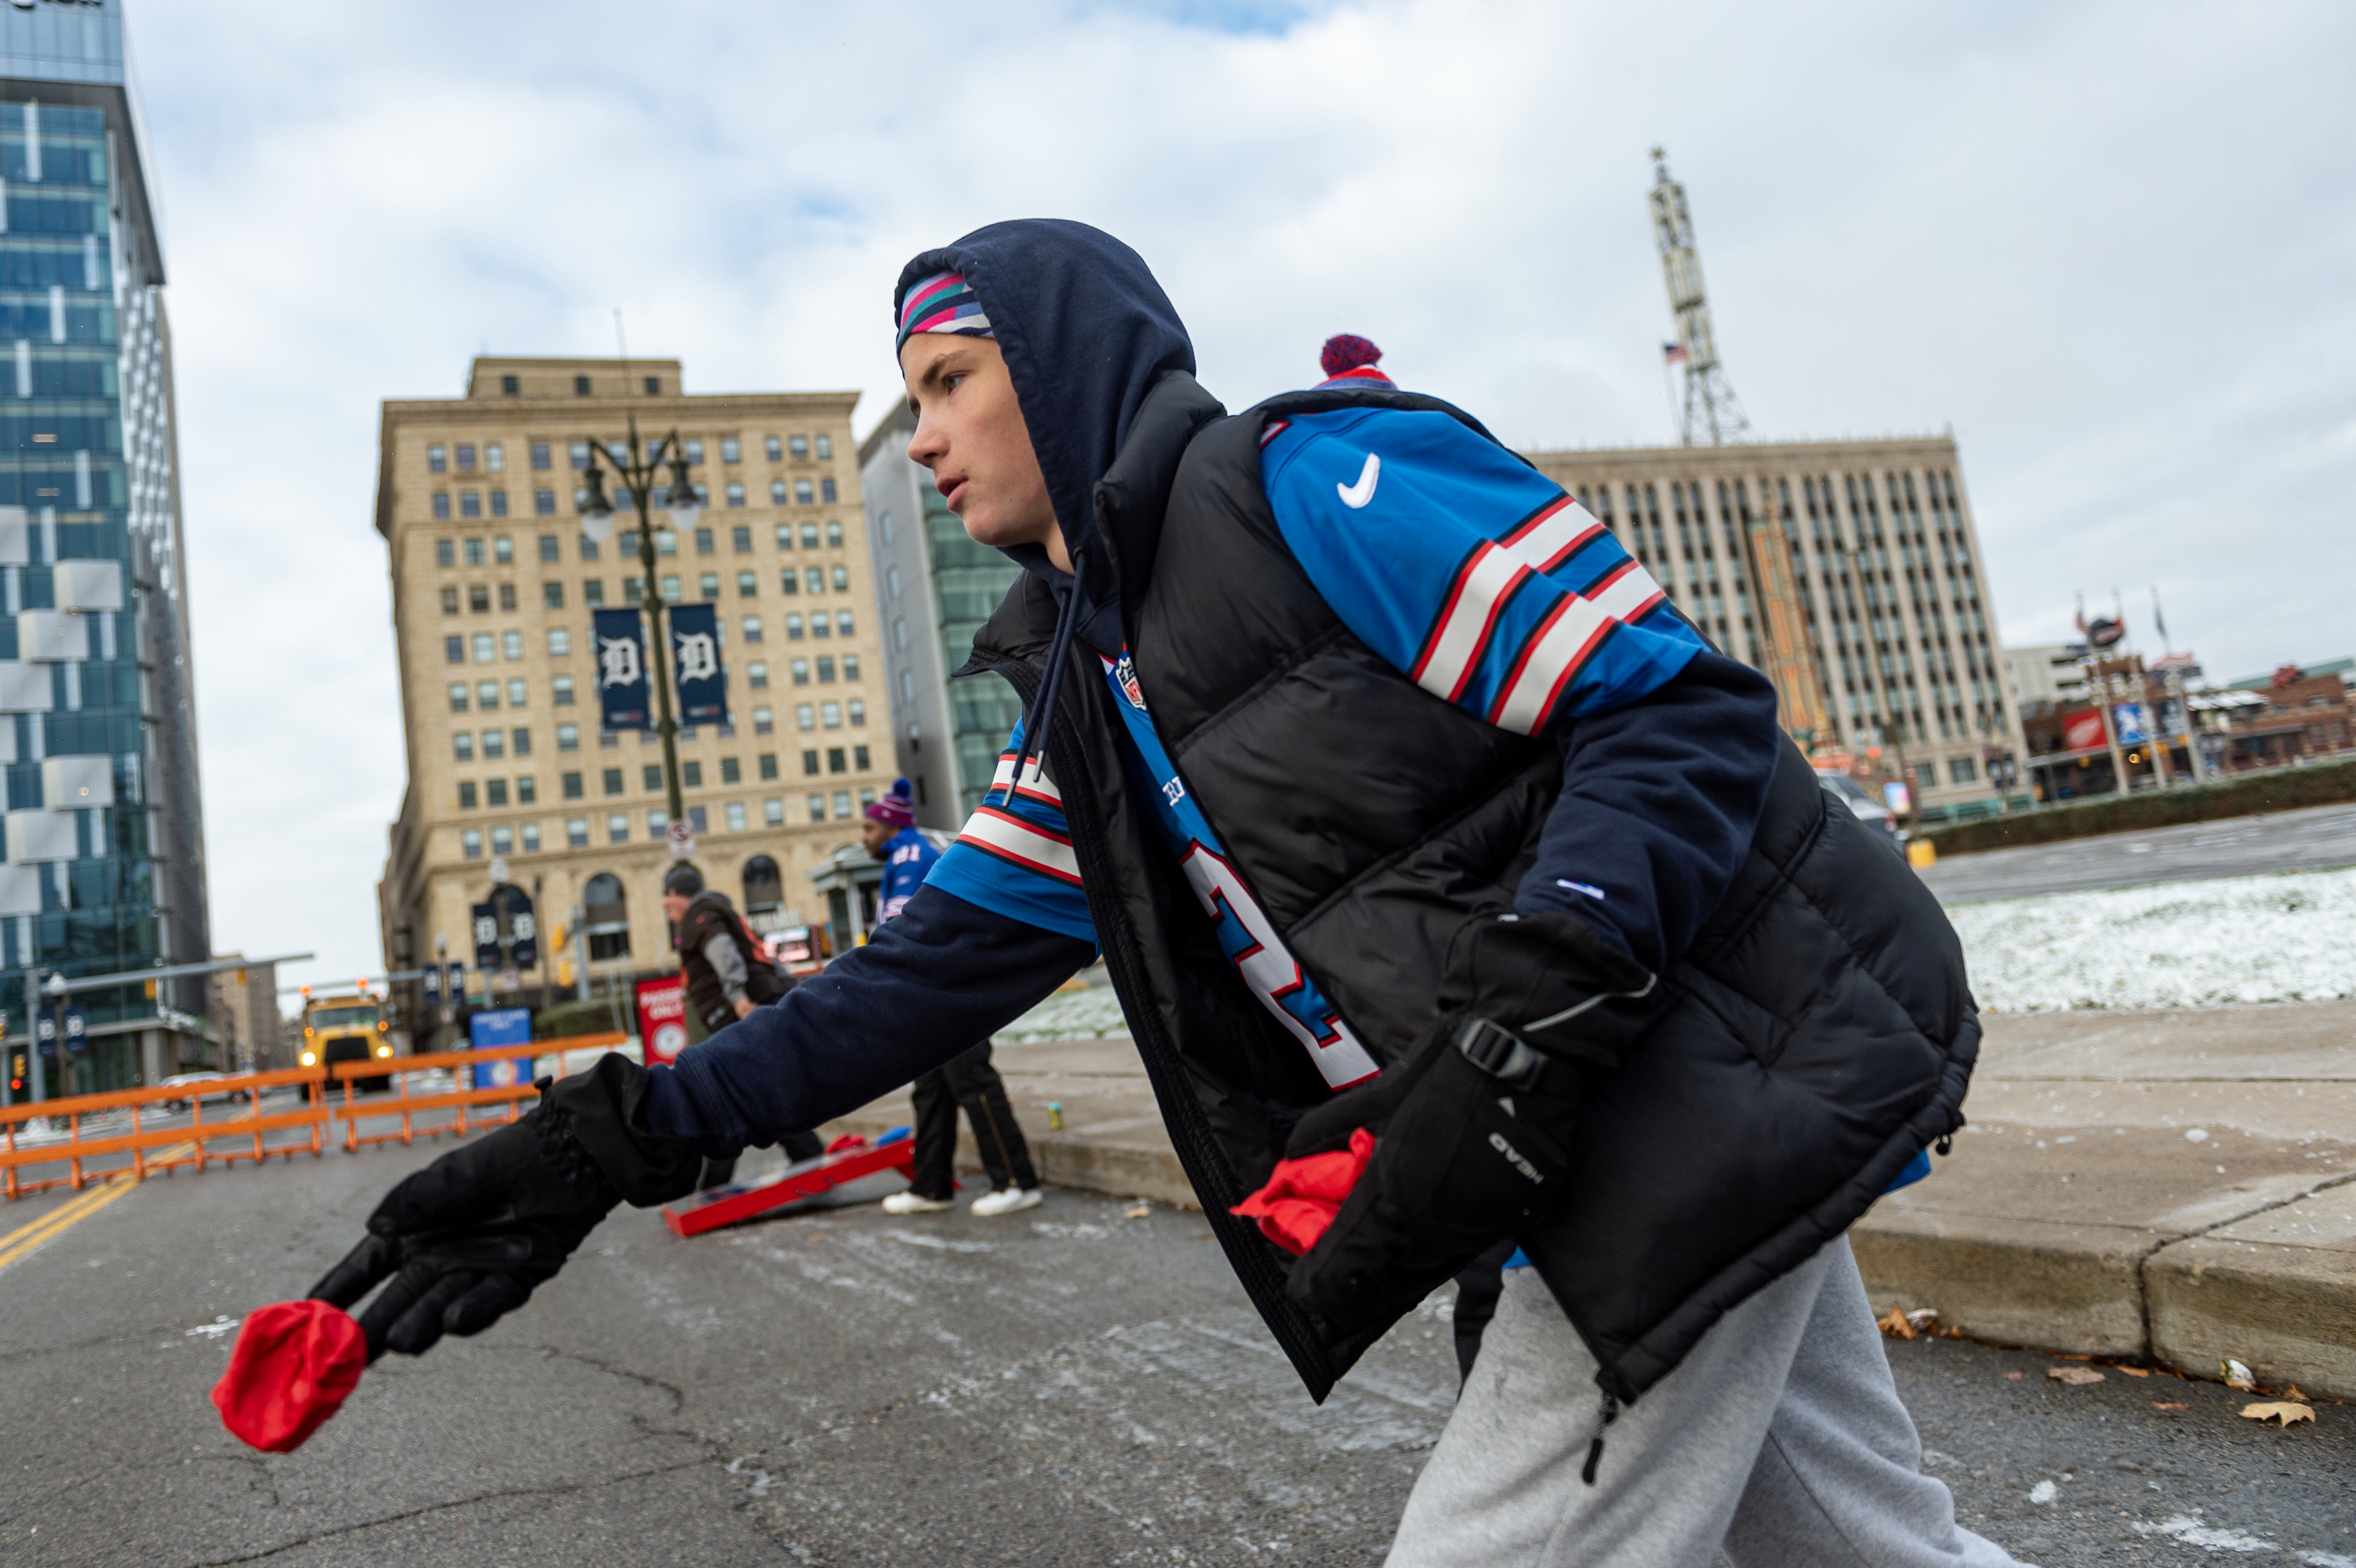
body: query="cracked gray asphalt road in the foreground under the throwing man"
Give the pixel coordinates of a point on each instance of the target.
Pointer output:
(1057, 1388)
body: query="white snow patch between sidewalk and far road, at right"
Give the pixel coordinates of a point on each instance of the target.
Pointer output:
(2176, 945)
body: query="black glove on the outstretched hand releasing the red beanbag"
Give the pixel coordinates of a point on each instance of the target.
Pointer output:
(470, 1237)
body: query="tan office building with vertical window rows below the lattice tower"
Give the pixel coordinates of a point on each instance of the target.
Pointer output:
(1851, 573)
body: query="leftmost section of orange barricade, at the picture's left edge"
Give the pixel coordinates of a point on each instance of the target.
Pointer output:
(121, 1131)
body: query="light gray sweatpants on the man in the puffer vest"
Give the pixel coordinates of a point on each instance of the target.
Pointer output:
(1778, 1442)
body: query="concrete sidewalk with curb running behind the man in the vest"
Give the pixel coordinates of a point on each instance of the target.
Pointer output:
(2162, 1185)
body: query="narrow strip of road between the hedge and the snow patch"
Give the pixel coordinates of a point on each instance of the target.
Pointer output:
(2310, 839)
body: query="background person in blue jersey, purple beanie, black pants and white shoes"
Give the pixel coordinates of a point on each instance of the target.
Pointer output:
(889, 832)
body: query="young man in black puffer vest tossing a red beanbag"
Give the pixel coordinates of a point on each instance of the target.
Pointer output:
(1457, 893)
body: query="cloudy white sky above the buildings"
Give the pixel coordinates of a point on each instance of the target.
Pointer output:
(2107, 244)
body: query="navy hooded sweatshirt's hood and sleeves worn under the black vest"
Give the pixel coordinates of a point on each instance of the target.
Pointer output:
(1660, 797)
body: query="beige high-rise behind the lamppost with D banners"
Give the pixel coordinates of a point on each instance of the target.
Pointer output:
(494, 592)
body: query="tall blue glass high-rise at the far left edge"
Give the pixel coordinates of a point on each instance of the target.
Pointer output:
(105, 853)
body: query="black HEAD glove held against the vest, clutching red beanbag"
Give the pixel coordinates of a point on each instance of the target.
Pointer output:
(1474, 1131)
